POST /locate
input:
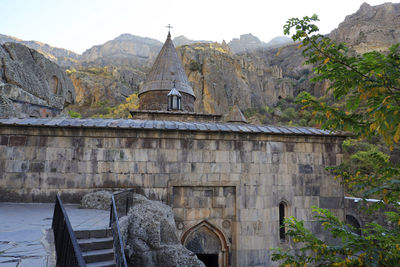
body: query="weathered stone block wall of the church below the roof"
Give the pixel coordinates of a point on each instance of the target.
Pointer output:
(233, 181)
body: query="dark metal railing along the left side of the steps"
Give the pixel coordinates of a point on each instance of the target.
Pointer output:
(67, 248)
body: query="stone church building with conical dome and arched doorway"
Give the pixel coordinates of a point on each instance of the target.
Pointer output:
(229, 183)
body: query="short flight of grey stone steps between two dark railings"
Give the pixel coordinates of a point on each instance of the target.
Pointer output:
(97, 247)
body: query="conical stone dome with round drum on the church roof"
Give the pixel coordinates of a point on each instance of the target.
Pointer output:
(166, 73)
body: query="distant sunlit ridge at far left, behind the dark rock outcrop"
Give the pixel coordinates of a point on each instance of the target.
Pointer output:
(61, 56)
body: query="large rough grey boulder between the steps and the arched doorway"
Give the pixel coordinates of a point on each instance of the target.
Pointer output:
(150, 235)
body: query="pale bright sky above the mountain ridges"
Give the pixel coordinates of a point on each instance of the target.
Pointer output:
(78, 25)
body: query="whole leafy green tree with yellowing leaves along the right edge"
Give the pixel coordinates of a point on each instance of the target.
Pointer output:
(366, 101)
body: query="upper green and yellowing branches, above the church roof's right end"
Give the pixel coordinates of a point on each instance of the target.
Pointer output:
(366, 86)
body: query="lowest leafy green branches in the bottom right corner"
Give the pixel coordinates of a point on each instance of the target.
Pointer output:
(376, 246)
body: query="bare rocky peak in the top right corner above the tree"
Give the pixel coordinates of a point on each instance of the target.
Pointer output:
(370, 28)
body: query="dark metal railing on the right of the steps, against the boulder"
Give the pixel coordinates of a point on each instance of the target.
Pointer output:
(119, 252)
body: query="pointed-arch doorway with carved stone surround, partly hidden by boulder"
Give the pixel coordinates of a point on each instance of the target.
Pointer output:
(208, 243)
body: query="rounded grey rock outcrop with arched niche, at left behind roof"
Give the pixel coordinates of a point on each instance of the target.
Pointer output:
(30, 84)
